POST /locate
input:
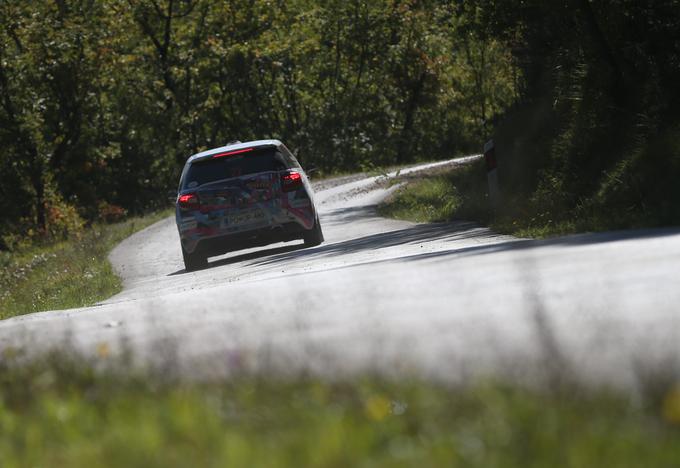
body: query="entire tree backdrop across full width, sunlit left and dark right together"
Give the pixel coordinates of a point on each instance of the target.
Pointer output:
(101, 102)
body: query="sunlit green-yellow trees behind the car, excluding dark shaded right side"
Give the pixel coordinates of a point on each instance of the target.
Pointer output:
(105, 100)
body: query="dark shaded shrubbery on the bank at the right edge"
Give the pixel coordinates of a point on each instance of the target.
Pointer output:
(594, 139)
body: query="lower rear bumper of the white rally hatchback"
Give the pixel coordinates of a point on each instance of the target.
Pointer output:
(217, 245)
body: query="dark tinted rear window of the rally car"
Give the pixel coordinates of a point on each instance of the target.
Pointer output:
(211, 170)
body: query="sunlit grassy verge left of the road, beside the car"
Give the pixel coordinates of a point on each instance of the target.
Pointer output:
(71, 273)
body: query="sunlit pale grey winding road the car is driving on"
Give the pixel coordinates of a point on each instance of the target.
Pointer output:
(446, 301)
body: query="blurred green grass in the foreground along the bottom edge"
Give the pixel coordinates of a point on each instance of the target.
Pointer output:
(61, 413)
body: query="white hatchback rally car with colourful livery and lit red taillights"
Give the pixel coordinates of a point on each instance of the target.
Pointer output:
(243, 195)
